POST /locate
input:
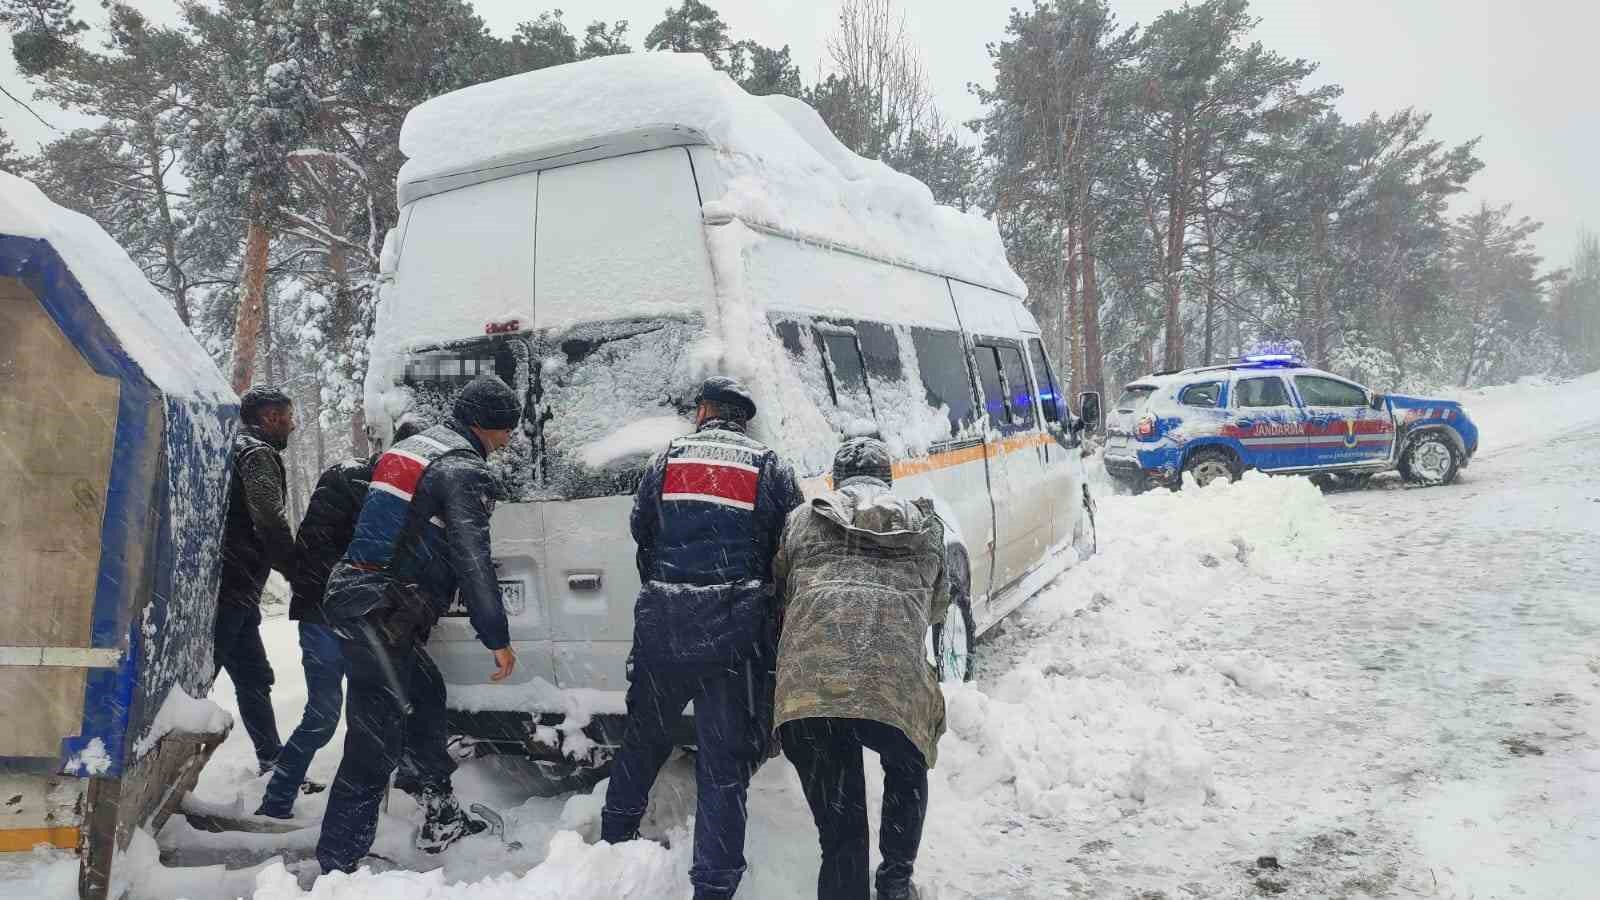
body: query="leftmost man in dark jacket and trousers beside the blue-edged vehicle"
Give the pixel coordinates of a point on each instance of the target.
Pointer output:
(255, 540)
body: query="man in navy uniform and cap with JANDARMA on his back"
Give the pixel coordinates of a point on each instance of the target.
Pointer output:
(706, 520)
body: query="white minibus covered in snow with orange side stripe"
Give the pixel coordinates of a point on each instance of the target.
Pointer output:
(604, 236)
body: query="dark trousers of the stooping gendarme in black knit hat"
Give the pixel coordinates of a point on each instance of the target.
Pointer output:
(378, 734)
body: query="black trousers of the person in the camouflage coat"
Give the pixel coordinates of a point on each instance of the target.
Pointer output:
(828, 757)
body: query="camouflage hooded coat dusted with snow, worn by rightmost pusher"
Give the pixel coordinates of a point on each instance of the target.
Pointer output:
(862, 576)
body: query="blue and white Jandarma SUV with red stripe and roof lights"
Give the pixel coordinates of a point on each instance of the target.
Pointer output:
(1279, 416)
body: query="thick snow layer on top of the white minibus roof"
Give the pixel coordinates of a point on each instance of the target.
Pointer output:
(783, 167)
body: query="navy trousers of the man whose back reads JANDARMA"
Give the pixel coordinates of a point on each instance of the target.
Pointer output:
(732, 710)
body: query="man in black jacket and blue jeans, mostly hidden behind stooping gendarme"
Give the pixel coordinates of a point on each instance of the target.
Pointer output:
(321, 542)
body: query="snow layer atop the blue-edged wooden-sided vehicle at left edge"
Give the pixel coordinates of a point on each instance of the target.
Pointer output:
(143, 321)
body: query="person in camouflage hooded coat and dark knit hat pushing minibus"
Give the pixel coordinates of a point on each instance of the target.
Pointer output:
(862, 576)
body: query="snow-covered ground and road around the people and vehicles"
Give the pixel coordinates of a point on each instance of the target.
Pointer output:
(1388, 693)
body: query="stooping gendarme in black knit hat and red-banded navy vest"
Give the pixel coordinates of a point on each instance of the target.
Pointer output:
(423, 536)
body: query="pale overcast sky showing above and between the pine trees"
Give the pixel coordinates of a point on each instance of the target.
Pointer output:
(1522, 76)
